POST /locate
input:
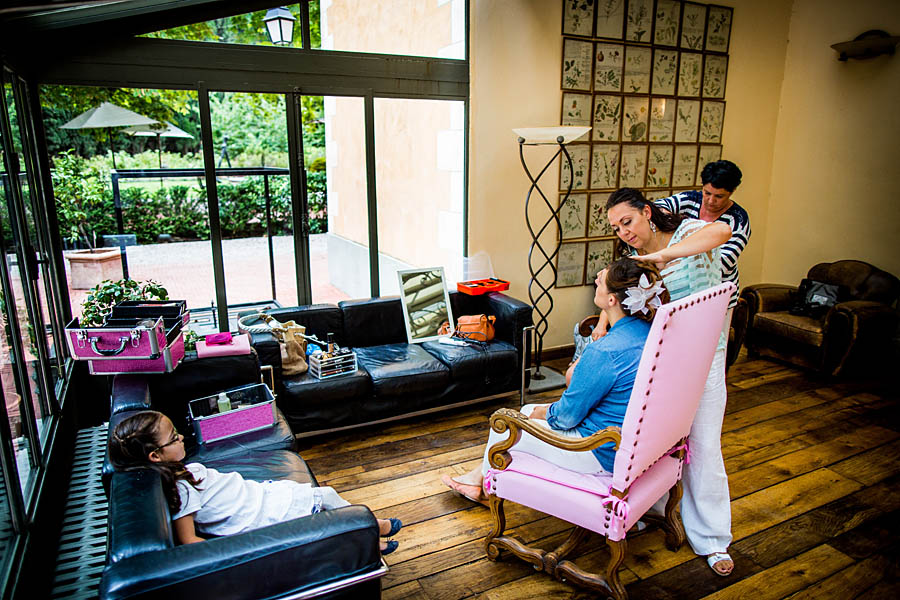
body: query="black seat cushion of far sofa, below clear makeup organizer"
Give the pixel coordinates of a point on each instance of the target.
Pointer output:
(310, 404)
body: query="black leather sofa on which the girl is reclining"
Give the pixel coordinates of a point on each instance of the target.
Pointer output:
(333, 554)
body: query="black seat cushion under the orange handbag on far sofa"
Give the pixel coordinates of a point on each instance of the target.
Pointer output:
(487, 362)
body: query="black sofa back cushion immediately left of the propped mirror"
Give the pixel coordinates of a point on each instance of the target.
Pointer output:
(374, 322)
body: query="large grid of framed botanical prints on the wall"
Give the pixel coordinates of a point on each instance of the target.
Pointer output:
(648, 77)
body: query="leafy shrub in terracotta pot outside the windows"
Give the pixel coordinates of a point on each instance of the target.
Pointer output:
(80, 193)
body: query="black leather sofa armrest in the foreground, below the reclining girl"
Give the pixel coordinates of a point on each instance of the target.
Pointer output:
(271, 562)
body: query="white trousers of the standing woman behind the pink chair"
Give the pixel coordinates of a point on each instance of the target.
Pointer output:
(706, 504)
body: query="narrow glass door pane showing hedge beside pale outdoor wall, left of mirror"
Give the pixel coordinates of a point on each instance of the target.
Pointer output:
(334, 147)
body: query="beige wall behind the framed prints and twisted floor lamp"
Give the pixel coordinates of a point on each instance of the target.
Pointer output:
(516, 48)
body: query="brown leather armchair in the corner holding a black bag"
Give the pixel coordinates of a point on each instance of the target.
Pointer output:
(853, 334)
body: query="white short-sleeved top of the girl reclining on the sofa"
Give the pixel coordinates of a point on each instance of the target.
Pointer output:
(226, 503)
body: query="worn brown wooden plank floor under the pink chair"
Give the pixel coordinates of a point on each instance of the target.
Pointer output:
(814, 470)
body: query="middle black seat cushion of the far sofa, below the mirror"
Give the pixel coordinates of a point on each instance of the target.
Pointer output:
(402, 369)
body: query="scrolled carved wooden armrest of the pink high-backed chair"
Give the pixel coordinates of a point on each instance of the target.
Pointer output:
(515, 422)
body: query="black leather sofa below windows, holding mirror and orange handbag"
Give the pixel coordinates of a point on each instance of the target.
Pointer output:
(395, 378)
